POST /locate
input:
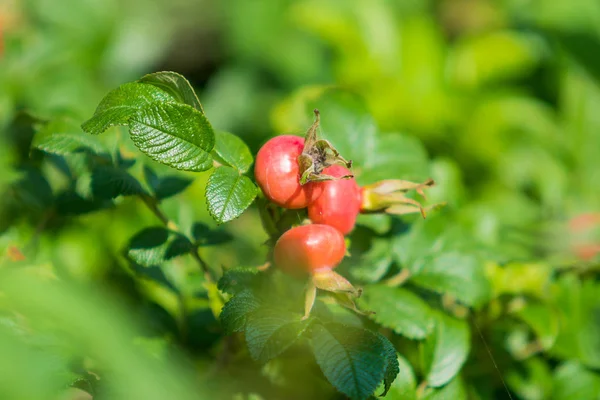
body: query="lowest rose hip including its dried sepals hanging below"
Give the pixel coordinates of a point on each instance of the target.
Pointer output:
(313, 251)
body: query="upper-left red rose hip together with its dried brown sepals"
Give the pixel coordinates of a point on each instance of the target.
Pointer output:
(288, 168)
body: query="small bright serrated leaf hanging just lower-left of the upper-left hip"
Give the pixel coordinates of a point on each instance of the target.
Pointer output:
(228, 194)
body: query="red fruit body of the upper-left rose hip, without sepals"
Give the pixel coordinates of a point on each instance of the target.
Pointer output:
(277, 172)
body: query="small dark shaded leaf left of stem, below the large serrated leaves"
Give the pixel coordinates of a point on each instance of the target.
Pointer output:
(110, 182)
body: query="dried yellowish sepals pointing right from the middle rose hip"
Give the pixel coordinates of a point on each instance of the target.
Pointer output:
(389, 196)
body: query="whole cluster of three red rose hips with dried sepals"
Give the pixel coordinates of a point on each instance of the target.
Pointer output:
(309, 173)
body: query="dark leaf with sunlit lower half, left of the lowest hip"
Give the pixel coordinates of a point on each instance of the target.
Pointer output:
(153, 246)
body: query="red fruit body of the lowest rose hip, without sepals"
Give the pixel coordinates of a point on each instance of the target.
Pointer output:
(308, 249)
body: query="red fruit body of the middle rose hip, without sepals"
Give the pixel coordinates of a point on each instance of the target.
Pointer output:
(339, 204)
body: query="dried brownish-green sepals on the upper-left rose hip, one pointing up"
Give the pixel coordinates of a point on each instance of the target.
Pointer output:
(317, 155)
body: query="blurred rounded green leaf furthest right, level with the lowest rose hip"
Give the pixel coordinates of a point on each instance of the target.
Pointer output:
(457, 274)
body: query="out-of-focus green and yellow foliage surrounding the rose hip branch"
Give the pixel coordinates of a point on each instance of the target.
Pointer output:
(503, 98)
